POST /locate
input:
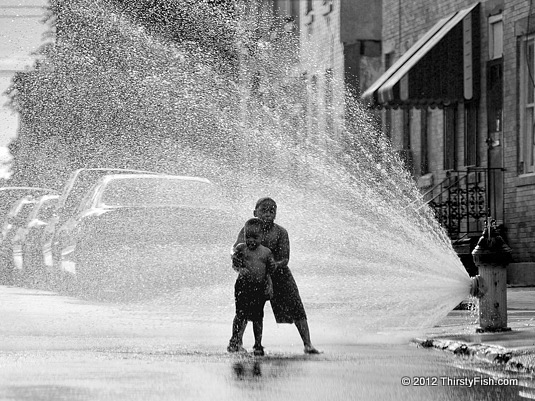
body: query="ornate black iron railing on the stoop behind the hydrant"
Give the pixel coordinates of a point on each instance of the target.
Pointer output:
(464, 199)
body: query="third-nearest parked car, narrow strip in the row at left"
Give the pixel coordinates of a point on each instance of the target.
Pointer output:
(26, 244)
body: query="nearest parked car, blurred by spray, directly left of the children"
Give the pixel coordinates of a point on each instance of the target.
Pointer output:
(143, 231)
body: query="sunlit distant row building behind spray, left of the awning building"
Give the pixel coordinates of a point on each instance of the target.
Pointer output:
(340, 47)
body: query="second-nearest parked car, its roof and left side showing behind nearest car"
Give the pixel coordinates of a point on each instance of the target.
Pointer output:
(74, 189)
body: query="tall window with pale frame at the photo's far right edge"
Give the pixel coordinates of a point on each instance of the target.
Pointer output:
(527, 106)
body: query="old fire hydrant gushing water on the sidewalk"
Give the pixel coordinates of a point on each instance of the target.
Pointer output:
(491, 256)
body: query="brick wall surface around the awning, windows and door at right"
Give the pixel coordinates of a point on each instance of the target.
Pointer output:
(401, 28)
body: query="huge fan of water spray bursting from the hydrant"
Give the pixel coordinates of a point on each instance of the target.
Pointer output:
(366, 251)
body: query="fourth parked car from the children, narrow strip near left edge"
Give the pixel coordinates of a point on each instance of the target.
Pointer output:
(15, 218)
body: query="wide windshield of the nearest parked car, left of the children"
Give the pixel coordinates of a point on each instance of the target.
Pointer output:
(161, 192)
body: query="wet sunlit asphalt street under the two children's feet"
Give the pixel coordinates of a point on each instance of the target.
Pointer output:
(54, 347)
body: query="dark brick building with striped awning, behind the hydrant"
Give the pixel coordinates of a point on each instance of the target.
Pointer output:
(457, 99)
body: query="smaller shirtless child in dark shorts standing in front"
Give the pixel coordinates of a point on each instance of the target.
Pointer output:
(253, 262)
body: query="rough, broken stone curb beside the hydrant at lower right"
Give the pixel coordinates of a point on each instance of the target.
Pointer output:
(511, 360)
